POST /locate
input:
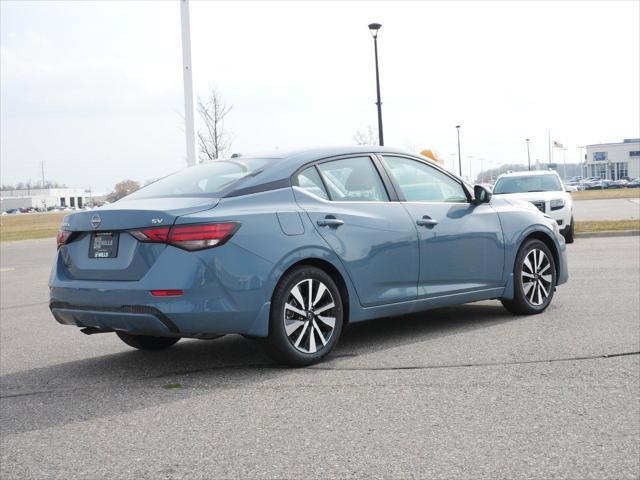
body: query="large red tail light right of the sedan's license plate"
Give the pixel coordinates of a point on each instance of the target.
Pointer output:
(189, 237)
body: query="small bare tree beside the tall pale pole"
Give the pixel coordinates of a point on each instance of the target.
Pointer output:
(213, 142)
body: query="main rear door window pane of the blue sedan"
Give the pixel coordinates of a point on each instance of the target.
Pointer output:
(353, 180)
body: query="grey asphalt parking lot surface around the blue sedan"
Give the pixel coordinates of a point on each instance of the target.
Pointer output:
(463, 392)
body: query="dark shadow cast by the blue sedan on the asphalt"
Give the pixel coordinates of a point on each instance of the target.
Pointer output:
(117, 383)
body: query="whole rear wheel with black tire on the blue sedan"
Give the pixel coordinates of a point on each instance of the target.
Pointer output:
(299, 347)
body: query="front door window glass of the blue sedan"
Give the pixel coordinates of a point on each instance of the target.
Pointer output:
(422, 183)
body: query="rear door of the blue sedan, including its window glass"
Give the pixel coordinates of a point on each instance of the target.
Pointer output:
(350, 207)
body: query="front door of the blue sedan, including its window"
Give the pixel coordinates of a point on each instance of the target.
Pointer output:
(461, 244)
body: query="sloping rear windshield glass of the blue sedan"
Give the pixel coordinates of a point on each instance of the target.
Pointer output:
(205, 180)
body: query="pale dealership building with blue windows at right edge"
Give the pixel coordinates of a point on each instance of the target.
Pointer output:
(614, 160)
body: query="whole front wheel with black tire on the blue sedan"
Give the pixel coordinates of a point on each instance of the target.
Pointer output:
(526, 299)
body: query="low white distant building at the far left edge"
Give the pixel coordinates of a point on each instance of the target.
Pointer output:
(43, 198)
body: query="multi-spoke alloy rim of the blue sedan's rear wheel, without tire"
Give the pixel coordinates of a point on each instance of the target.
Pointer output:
(309, 317)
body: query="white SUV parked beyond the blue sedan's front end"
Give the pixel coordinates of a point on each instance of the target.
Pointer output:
(545, 190)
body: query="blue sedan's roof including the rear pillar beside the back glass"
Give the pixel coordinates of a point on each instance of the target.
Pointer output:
(285, 163)
